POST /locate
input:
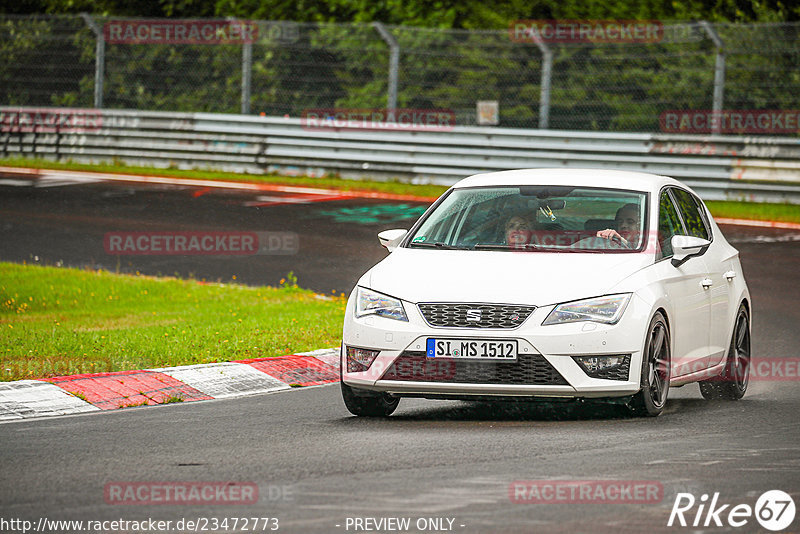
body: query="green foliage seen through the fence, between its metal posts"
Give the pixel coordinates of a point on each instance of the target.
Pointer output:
(602, 87)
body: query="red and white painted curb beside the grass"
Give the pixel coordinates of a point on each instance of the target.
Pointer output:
(25, 399)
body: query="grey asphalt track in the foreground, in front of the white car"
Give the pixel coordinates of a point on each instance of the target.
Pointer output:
(432, 459)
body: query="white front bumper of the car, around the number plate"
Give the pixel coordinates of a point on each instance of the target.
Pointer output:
(544, 368)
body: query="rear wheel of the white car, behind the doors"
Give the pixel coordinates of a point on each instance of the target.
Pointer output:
(732, 383)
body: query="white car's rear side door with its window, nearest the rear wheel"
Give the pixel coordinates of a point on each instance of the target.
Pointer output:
(695, 219)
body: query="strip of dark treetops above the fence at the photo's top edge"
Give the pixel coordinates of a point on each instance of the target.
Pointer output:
(467, 14)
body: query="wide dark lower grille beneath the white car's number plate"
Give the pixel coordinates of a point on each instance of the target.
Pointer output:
(528, 369)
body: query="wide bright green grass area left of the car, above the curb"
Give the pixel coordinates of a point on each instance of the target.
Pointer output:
(59, 321)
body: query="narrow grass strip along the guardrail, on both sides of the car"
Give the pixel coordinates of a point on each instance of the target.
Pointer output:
(731, 209)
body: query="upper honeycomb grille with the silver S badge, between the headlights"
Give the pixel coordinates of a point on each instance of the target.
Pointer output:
(465, 315)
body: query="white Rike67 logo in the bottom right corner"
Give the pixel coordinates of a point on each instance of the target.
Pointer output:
(774, 510)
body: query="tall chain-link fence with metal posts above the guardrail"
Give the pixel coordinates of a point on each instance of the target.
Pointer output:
(284, 68)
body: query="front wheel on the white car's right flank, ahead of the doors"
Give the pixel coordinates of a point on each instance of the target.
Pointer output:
(655, 374)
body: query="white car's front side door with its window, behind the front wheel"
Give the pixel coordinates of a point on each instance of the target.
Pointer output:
(691, 316)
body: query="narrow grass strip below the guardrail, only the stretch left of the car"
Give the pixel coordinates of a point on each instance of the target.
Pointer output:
(394, 187)
